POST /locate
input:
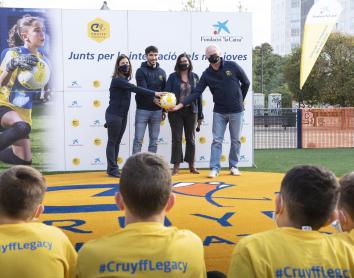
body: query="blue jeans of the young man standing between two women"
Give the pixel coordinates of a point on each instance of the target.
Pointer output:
(142, 119)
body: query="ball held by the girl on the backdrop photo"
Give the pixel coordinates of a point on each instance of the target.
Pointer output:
(36, 78)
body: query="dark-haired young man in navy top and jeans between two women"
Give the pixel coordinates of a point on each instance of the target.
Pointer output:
(152, 77)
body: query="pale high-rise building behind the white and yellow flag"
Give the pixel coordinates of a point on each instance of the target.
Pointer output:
(288, 20)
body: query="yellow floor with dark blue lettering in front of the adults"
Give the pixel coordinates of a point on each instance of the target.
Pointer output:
(221, 211)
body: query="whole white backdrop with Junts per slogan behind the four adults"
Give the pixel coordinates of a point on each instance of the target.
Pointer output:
(84, 47)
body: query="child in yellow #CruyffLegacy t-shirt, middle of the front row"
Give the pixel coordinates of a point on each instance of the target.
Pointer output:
(145, 247)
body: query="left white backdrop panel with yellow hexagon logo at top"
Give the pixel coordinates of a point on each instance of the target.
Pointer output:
(91, 43)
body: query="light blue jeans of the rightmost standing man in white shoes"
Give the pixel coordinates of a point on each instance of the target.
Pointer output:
(220, 122)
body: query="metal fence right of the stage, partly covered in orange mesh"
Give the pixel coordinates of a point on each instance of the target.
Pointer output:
(306, 128)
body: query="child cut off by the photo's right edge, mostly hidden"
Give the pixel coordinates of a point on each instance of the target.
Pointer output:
(346, 208)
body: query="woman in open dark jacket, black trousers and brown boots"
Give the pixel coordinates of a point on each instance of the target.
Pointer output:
(181, 83)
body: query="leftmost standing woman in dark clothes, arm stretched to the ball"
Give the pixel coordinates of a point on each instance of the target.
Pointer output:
(117, 110)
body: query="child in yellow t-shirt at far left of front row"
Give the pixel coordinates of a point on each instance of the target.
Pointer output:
(29, 249)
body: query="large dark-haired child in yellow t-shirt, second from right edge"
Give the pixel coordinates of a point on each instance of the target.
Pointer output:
(307, 201)
